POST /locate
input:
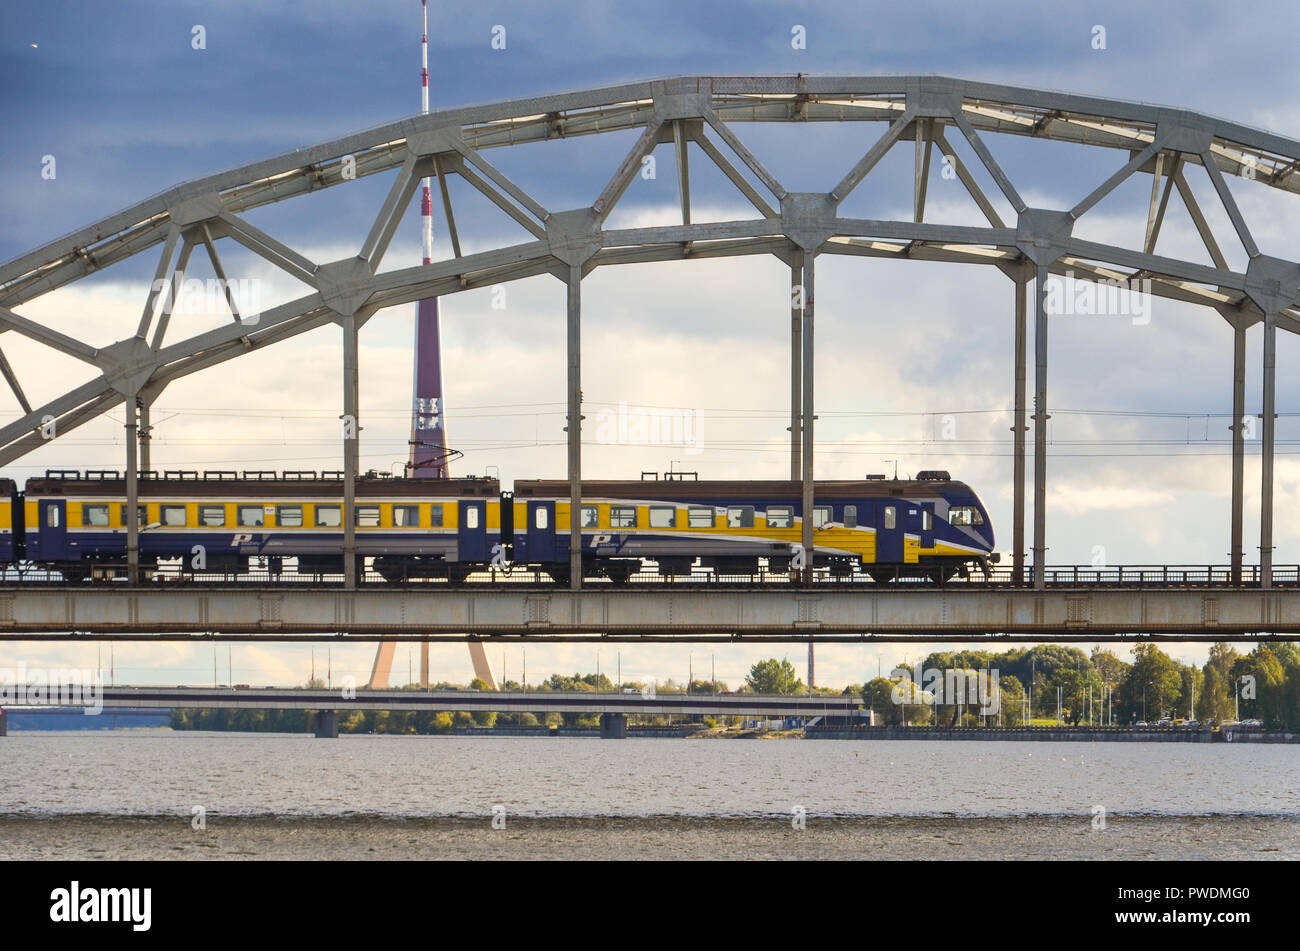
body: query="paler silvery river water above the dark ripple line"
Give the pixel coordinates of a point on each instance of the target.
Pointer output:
(242, 775)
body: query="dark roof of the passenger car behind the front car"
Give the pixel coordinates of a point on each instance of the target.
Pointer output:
(216, 484)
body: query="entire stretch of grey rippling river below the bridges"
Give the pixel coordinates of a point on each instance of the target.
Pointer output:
(162, 794)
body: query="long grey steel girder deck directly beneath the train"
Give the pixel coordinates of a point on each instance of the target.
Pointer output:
(825, 613)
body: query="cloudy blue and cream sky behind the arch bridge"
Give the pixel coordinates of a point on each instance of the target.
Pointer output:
(913, 359)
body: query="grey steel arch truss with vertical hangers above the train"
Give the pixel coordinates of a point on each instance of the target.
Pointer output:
(1168, 145)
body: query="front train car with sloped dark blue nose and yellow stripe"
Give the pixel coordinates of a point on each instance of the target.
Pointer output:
(930, 527)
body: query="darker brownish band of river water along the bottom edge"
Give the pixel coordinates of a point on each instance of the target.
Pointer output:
(653, 839)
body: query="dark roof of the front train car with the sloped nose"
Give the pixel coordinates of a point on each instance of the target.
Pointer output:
(740, 489)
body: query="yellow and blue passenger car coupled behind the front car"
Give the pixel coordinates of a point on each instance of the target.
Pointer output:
(411, 528)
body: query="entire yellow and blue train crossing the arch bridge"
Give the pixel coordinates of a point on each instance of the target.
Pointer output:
(73, 523)
